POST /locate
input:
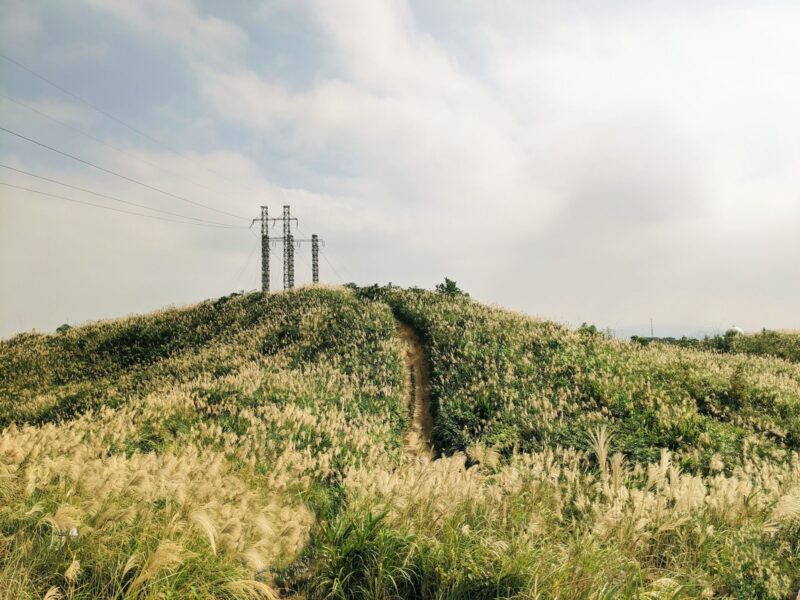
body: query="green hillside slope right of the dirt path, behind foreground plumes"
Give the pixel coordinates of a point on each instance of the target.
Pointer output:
(517, 383)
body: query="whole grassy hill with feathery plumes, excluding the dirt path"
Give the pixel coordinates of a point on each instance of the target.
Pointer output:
(253, 447)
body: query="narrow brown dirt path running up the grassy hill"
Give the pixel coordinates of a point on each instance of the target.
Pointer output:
(418, 437)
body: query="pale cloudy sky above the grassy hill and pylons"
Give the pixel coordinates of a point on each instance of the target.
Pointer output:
(584, 161)
